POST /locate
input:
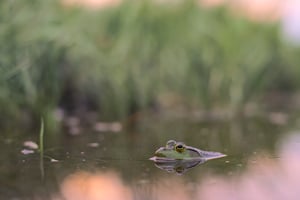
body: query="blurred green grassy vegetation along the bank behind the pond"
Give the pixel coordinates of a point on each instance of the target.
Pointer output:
(122, 59)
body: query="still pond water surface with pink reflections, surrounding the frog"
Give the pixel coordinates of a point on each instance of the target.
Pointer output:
(115, 165)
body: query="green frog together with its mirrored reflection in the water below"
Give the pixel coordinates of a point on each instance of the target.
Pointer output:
(178, 157)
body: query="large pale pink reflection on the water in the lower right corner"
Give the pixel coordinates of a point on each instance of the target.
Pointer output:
(265, 179)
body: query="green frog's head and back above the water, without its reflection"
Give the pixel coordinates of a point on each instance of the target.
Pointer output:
(174, 150)
